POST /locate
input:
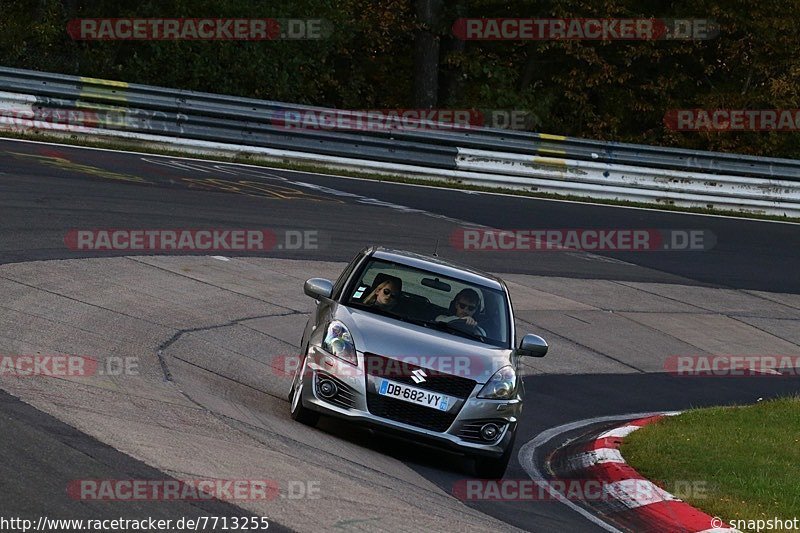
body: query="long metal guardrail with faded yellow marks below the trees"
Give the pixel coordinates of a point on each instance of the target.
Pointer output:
(31, 100)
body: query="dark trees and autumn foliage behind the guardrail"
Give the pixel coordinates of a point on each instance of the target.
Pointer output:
(604, 90)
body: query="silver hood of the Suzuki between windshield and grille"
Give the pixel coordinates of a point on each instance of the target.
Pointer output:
(421, 346)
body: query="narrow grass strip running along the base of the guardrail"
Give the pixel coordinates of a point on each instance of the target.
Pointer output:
(111, 143)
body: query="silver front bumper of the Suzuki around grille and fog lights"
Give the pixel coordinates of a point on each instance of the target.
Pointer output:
(469, 413)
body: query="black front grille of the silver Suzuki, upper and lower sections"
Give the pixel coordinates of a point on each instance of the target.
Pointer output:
(409, 413)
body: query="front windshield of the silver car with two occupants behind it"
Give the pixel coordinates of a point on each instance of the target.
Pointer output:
(432, 300)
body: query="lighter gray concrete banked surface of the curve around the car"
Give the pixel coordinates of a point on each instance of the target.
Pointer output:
(226, 325)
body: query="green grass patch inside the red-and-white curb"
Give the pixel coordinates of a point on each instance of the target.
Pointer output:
(742, 462)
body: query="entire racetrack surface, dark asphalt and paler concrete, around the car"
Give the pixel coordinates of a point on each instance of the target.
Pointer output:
(210, 332)
